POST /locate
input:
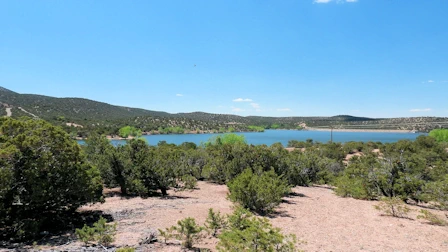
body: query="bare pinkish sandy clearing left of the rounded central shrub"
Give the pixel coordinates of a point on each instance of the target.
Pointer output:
(157, 212)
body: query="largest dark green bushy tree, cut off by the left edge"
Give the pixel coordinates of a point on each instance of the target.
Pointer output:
(43, 175)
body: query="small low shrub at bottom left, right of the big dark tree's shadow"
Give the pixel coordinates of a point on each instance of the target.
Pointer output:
(101, 232)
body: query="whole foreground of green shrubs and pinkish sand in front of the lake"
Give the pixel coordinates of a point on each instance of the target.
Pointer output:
(219, 196)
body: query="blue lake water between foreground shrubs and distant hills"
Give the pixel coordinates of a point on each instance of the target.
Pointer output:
(283, 136)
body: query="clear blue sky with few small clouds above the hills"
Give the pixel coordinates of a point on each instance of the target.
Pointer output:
(377, 58)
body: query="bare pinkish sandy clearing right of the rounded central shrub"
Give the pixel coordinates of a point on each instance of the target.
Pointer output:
(330, 223)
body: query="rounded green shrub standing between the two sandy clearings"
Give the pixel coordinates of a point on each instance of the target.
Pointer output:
(260, 193)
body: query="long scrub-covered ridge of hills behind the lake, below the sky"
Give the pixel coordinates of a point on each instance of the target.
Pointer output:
(107, 118)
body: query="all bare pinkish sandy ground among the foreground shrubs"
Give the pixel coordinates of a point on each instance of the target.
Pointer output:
(324, 221)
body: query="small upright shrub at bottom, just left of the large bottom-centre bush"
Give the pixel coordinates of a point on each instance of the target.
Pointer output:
(188, 231)
